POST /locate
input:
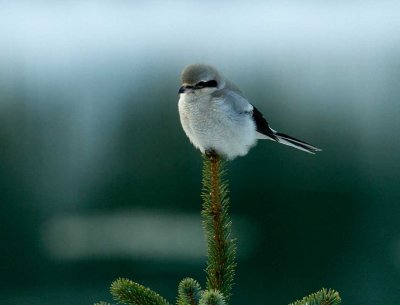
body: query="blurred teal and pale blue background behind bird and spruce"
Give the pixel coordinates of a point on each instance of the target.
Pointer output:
(98, 181)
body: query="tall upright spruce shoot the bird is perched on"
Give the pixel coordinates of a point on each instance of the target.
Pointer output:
(221, 248)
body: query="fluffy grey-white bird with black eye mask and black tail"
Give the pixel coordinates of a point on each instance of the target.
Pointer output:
(218, 119)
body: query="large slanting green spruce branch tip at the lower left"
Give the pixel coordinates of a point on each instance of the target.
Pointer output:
(127, 292)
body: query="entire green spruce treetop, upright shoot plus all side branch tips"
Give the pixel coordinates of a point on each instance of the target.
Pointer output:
(221, 254)
